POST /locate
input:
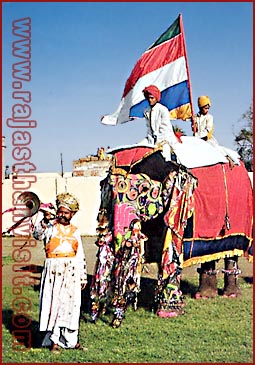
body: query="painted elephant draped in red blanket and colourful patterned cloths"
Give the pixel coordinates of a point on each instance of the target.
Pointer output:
(160, 211)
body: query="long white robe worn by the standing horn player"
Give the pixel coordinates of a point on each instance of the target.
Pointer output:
(60, 291)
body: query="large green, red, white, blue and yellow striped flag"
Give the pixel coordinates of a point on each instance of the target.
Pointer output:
(165, 65)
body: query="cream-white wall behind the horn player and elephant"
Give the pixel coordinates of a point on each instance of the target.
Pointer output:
(48, 185)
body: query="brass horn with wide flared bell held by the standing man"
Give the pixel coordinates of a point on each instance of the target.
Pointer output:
(28, 203)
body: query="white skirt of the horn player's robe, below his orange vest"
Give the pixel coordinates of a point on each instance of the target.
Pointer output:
(60, 302)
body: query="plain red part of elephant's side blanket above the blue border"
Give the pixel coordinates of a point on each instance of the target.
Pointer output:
(217, 195)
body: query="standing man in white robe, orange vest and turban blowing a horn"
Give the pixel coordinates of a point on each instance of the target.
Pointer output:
(64, 276)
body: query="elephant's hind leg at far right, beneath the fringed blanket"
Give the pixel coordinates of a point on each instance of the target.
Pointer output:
(231, 273)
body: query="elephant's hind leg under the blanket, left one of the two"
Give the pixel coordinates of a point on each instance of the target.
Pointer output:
(207, 281)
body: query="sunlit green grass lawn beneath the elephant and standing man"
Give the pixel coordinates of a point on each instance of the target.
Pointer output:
(217, 330)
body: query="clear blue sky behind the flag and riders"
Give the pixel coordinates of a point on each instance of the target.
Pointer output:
(82, 53)
